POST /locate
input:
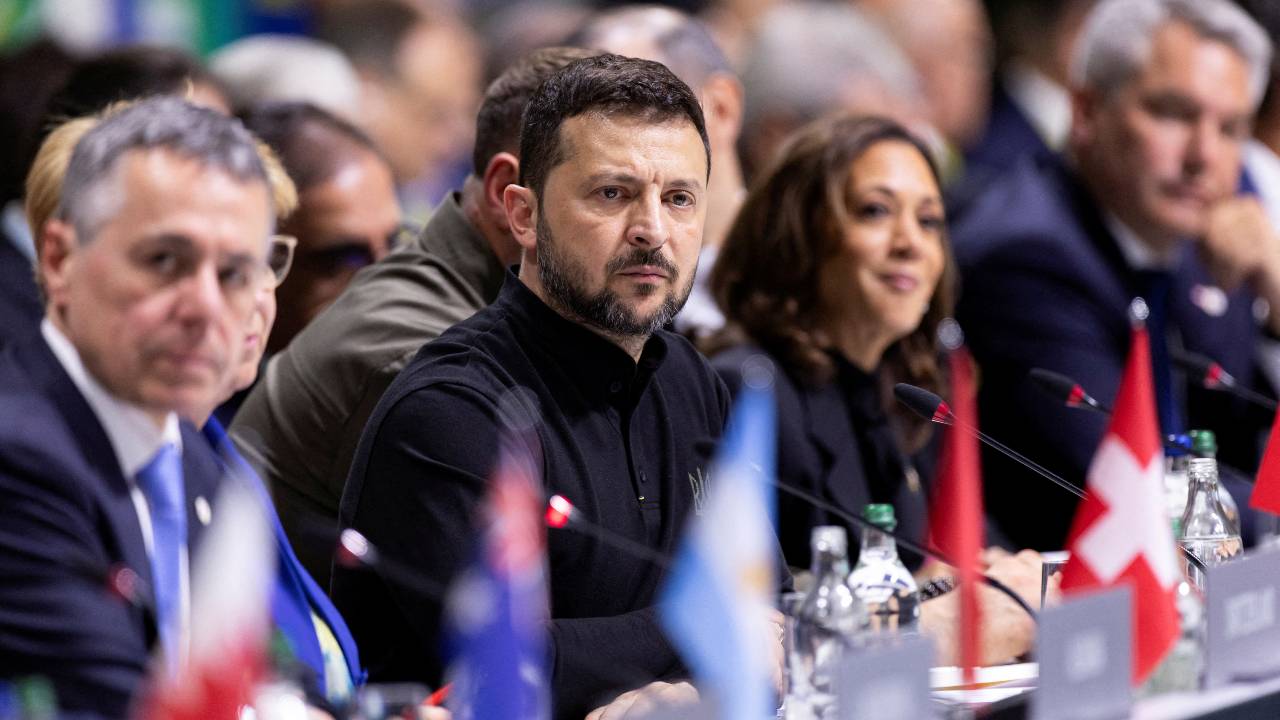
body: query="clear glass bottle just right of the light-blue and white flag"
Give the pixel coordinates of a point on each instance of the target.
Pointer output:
(829, 621)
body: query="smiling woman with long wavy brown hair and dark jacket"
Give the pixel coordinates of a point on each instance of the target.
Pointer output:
(839, 271)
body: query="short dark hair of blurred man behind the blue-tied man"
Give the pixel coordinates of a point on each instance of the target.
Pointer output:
(313, 144)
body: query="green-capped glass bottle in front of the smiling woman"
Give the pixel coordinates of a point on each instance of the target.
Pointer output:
(886, 587)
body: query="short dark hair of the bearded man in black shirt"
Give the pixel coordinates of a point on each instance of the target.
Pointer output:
(609, 85)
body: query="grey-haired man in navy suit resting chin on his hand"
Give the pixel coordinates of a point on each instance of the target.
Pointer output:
(1145, 204)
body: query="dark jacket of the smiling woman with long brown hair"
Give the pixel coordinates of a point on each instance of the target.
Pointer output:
(835, 443)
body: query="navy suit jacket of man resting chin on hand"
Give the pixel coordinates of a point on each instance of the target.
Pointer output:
(1046, 286)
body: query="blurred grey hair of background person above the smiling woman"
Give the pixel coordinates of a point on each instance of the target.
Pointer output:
(806, 54)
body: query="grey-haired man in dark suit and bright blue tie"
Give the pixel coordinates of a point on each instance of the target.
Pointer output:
(153, 268)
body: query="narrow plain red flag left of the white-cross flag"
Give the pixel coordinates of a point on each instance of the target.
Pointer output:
(956, 525)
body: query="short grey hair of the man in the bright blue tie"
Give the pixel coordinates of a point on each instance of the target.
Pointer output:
(159, 124)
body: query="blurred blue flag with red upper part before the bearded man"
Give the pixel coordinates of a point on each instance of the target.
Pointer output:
(497, 610)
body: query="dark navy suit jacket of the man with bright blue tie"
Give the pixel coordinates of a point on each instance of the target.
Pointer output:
(67, 522)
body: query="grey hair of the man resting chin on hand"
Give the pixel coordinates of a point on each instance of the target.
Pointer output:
(1118, 35)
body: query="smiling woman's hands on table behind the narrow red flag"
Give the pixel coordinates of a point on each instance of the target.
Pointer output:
(1007, 630)
